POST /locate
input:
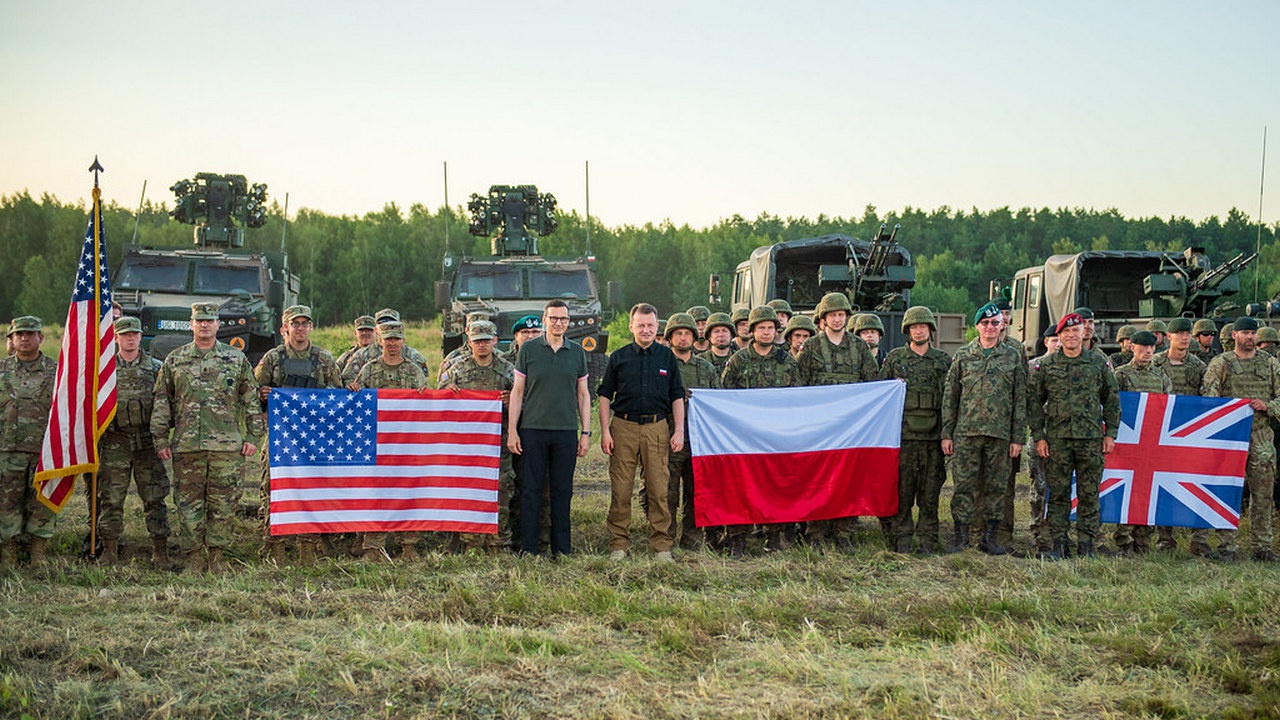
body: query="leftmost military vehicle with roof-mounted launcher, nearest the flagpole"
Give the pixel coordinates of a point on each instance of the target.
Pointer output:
(159, 285)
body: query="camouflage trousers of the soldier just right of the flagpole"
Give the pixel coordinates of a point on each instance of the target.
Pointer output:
(126, 458)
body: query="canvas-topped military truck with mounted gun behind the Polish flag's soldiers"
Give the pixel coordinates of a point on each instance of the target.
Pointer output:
(877, 276)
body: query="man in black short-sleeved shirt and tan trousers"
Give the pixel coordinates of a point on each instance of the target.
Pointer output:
(642, 386)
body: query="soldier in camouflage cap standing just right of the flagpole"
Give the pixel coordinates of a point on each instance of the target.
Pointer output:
(126, 450)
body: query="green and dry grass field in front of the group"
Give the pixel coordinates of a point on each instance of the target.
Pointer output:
(793, 635)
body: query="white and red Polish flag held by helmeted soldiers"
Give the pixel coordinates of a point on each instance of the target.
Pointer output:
(787, 455)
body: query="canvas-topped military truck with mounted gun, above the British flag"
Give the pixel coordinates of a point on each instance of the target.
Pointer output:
(1122, 288)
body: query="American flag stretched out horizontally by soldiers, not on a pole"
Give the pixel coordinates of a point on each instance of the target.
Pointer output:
(385, 461)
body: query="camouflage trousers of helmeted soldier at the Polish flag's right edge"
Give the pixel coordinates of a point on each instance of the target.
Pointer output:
(921, 475)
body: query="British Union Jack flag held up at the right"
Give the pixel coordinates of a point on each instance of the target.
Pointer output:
(1178, 462)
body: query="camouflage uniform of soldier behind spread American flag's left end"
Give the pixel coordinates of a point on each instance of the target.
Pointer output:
(285, 367)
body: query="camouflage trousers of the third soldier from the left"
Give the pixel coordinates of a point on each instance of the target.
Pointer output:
(205, 490)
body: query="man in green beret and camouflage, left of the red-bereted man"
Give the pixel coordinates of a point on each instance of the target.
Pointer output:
(984, 427)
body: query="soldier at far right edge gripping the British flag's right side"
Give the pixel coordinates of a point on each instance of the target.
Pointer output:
(1249, 375)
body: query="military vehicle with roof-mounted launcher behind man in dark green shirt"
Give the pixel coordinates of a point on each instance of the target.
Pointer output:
(516, 281)
